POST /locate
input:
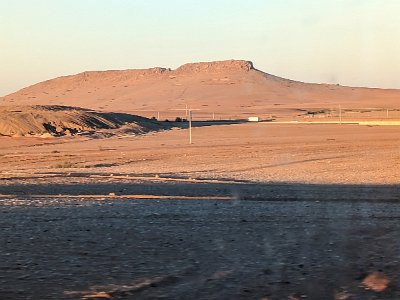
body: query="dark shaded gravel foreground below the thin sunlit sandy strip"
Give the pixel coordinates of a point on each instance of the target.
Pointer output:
(168, 249)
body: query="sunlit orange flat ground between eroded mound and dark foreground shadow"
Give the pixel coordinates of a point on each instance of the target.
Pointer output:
(261, 152)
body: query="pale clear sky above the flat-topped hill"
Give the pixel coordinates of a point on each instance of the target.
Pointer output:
(349, 42)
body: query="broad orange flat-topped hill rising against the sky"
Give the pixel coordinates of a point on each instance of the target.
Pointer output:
(227, 88)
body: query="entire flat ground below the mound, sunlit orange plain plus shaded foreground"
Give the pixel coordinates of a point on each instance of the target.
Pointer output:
(248, 211)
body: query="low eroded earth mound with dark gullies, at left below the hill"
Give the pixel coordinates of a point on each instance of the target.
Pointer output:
(61, 120)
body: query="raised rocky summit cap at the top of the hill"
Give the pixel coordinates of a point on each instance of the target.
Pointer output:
(228, 66)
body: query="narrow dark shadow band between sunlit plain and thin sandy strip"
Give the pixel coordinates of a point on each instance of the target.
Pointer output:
(241, 190)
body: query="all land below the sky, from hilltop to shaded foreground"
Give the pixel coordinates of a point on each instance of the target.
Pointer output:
(100, 204)
